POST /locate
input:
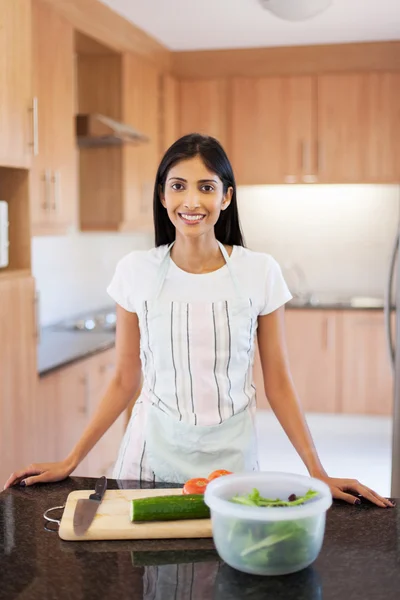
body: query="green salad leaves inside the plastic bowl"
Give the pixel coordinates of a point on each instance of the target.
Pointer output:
(274, 544)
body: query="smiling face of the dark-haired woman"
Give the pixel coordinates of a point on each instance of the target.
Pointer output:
(194, 197)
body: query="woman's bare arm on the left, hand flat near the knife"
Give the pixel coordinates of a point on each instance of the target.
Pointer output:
(122, 388)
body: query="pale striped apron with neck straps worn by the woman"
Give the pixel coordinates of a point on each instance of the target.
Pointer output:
(195, 413)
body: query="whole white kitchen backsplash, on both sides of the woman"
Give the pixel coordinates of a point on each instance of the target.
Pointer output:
(340, 236)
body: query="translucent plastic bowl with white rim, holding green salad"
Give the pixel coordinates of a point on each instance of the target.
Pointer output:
(268, 540)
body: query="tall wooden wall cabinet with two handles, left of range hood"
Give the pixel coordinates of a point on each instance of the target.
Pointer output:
(54, 167)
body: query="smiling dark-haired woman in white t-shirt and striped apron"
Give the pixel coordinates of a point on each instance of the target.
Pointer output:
(187, 314)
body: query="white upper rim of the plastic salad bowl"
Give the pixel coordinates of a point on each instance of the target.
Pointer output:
(219, 493)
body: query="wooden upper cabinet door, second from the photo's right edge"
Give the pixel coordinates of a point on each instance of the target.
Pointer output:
(341, 128)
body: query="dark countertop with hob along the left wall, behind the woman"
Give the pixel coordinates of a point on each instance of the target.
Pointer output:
(59, 348)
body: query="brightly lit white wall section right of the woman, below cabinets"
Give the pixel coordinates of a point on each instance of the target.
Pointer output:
(340, 235)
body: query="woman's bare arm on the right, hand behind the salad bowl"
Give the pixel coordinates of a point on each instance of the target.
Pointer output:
(285, 403)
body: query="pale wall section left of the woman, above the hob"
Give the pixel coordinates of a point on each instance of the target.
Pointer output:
(72, 272)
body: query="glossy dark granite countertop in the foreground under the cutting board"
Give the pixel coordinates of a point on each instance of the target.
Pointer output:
(360, 559)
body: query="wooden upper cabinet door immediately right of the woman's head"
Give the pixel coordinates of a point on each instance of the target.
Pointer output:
(258, 121)
